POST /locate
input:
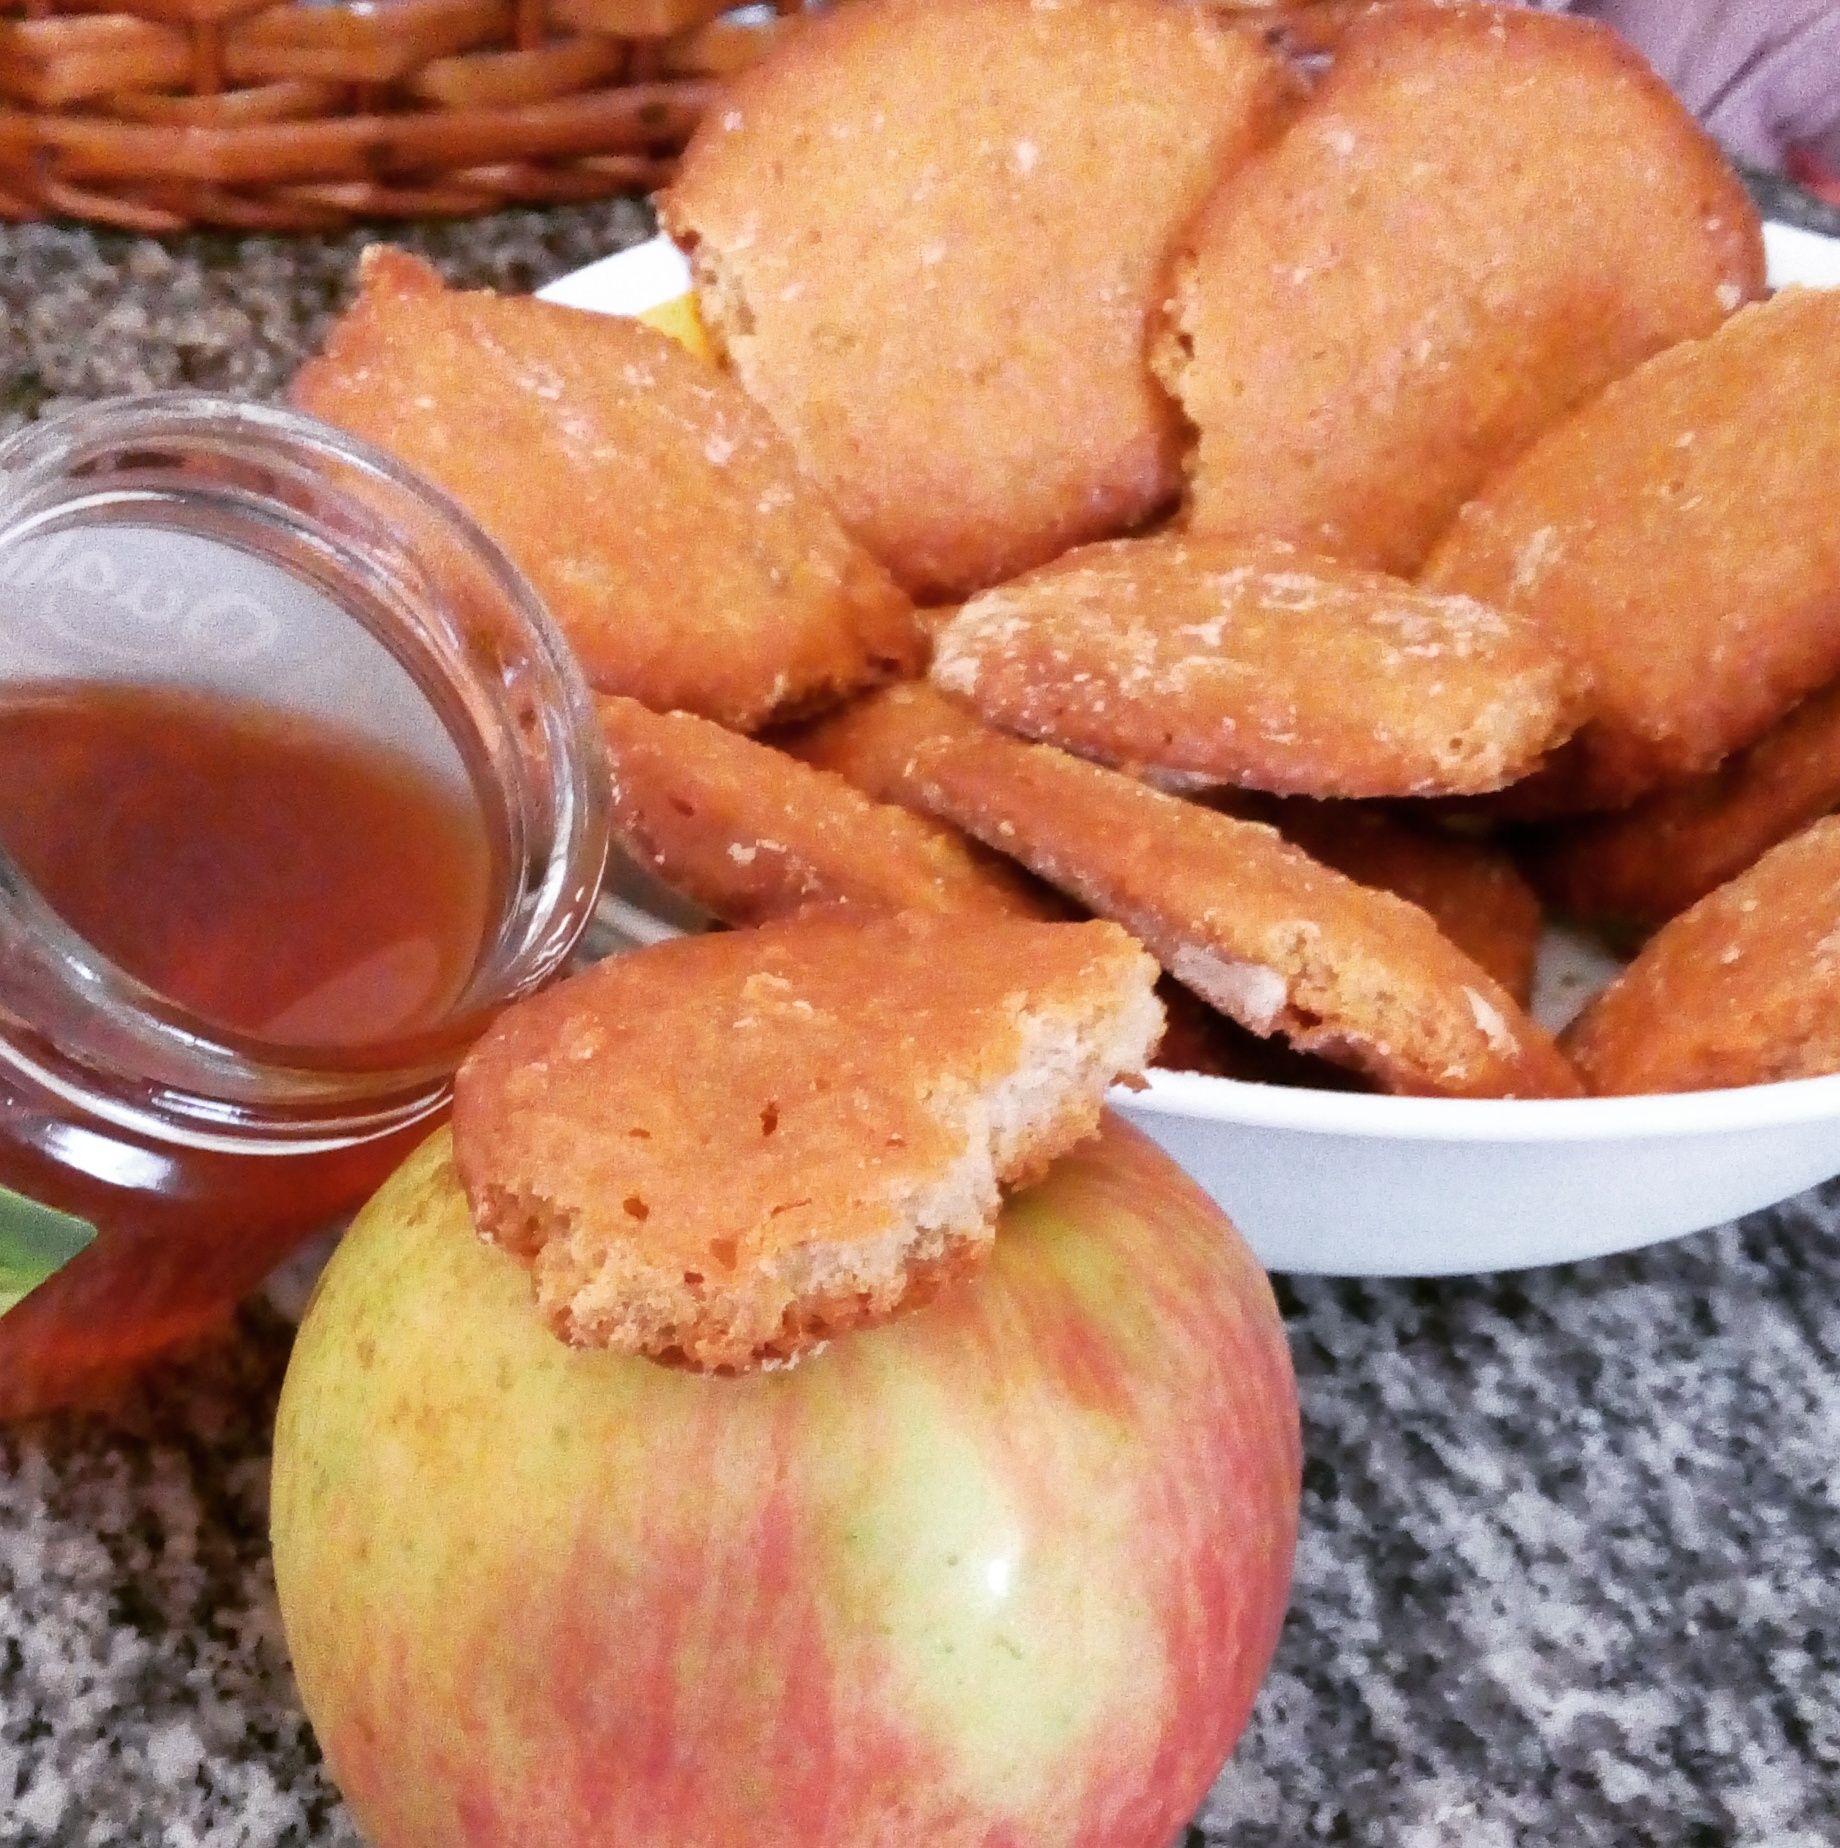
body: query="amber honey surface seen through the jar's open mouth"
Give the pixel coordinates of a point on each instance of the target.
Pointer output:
(263, 871)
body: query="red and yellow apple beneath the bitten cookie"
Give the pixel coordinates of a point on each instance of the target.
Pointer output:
(1002, 1574)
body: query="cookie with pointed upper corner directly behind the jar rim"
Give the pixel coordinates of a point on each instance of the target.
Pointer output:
(659, 513)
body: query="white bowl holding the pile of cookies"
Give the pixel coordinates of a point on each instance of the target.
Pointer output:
(1416, 1187)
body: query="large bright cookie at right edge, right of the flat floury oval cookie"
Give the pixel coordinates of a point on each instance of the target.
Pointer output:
(1678, 539)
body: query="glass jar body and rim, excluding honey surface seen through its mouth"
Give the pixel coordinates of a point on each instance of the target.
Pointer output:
(156, 1167)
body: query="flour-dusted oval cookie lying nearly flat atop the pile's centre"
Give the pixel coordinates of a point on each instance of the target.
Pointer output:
(1246, 663)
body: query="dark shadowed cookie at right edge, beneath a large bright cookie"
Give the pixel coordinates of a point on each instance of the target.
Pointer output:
(1647, 864)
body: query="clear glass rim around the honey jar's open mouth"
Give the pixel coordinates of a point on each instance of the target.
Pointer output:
(503, 672)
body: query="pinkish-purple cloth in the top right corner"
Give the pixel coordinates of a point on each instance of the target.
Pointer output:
(1763, 75)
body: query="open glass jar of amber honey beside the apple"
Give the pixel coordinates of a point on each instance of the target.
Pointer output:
(298, 788)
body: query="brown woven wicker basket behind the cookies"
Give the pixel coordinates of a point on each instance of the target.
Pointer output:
(158, 115)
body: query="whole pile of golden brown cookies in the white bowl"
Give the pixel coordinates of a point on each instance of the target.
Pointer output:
(1338, 513)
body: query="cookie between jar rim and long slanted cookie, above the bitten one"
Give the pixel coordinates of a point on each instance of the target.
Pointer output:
(751, 834)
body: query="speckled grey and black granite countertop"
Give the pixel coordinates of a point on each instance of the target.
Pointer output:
(1569, 1540)
